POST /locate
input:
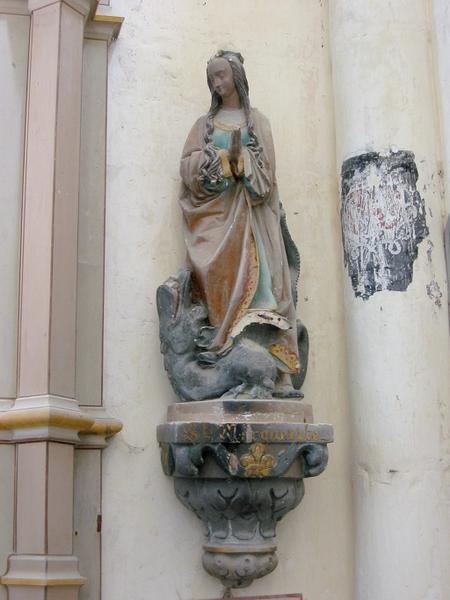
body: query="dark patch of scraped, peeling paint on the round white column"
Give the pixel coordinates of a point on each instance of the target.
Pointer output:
(383, 221)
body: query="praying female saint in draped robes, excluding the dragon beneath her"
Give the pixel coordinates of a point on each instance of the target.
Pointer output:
(237, 243)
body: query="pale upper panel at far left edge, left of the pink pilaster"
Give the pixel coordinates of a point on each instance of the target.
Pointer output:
(14, 33)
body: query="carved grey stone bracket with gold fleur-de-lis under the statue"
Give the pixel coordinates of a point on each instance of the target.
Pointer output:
(239, 466)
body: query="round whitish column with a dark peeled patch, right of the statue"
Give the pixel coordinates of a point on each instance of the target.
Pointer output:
(398, 343)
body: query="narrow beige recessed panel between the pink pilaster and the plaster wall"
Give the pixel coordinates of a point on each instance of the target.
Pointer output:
(91, 225)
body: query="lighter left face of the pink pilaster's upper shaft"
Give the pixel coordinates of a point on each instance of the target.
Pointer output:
(38, 213)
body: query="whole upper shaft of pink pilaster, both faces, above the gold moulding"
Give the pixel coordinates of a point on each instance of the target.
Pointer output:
(48, 339)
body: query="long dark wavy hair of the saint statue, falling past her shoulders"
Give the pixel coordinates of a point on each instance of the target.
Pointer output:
(211, 168)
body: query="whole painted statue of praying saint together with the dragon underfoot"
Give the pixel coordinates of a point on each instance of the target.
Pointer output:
(236, 298)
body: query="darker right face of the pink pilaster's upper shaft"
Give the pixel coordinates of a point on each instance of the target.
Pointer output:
(64, 280)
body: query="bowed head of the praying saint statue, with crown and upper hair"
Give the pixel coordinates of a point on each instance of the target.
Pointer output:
(225, 73)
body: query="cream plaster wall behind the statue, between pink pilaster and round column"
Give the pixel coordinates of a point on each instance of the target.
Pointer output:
(157, 89)
